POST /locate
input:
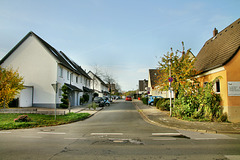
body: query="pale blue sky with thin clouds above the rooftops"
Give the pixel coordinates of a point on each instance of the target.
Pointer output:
(124, 38)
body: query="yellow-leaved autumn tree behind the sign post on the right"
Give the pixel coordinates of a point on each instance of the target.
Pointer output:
(182, 70)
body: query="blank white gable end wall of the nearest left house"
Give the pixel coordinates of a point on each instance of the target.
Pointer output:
(38, 68)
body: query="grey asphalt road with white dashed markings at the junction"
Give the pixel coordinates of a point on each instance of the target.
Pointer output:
(117, 132)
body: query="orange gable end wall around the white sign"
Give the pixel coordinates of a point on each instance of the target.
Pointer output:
(233, 75)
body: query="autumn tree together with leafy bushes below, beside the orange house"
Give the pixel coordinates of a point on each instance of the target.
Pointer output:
(191, 100)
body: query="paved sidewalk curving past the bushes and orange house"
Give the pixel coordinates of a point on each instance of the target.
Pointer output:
(162, 118)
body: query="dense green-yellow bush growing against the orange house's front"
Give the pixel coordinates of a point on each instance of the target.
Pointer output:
(202, 103)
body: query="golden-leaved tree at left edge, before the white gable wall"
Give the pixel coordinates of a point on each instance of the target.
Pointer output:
(11, 83)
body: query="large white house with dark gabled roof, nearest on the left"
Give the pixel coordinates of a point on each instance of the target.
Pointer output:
(42, 67)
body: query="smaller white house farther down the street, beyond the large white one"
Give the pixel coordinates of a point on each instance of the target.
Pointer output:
(98, 85)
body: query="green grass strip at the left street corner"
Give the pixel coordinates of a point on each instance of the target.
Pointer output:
(37, 120)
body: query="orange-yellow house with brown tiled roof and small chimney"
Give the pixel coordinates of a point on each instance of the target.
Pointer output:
(220, 56)
